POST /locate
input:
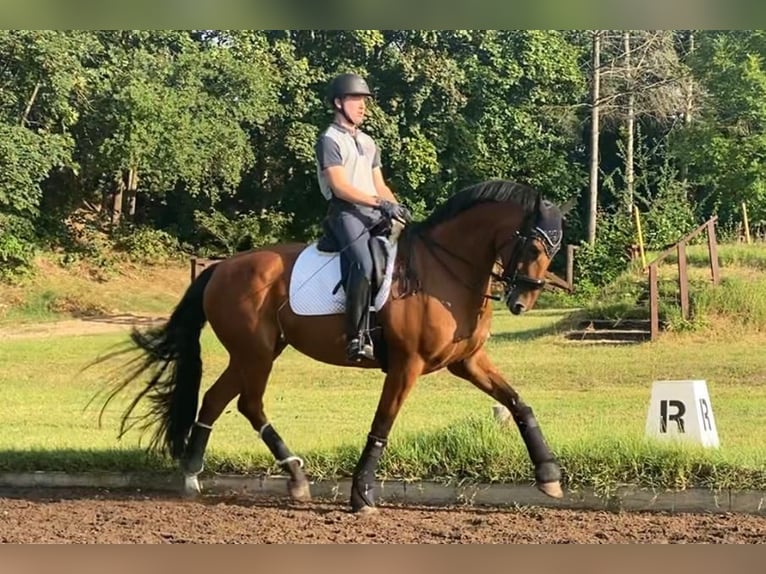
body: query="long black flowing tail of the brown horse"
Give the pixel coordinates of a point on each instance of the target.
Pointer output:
(171, 353)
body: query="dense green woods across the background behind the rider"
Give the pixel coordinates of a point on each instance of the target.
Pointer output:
(160, 142)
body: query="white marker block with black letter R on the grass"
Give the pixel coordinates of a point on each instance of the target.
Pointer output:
(682, 411)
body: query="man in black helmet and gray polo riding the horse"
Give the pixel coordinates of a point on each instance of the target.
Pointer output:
(350, 178)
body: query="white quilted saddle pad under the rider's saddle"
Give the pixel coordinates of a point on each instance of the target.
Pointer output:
(317, 273)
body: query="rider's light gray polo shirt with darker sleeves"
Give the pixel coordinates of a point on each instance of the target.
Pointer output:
(358, 154)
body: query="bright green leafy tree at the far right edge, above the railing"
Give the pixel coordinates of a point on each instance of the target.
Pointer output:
(724, 147)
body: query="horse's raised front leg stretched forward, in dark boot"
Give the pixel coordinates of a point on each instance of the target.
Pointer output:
(480, 371)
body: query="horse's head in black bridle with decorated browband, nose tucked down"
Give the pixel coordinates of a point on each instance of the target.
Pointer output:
(536, 243)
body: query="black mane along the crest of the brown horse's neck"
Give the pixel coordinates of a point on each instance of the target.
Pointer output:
(495, 190)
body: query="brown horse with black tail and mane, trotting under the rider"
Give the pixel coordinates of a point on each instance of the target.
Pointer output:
(437, 315)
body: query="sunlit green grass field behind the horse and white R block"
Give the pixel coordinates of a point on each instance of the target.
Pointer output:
(591, 402)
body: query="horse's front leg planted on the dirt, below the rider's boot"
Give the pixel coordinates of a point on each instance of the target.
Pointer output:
(399, 381)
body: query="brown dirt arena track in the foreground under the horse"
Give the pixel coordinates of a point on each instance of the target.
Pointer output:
(97, 516)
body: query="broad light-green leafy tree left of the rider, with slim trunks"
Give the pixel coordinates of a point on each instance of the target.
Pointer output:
(172, 109)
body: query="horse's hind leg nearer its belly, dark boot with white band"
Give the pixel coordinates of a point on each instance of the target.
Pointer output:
(250, 404)
